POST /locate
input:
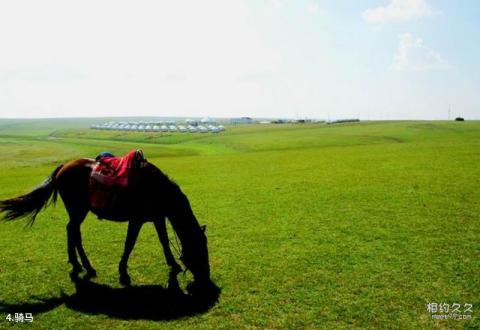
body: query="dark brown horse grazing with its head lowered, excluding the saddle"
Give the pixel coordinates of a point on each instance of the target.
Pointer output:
(153, 198)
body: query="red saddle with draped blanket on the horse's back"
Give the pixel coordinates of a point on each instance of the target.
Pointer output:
(114, 177)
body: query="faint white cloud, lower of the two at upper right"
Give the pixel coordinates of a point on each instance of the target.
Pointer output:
(413, 55)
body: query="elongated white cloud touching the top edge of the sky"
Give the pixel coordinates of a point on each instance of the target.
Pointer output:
(398, 11)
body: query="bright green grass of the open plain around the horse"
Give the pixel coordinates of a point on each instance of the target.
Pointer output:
(310, 226)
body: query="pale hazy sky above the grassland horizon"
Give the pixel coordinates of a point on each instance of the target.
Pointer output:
(373, 59)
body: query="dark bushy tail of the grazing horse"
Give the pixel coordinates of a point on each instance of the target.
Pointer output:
(29, 205)
